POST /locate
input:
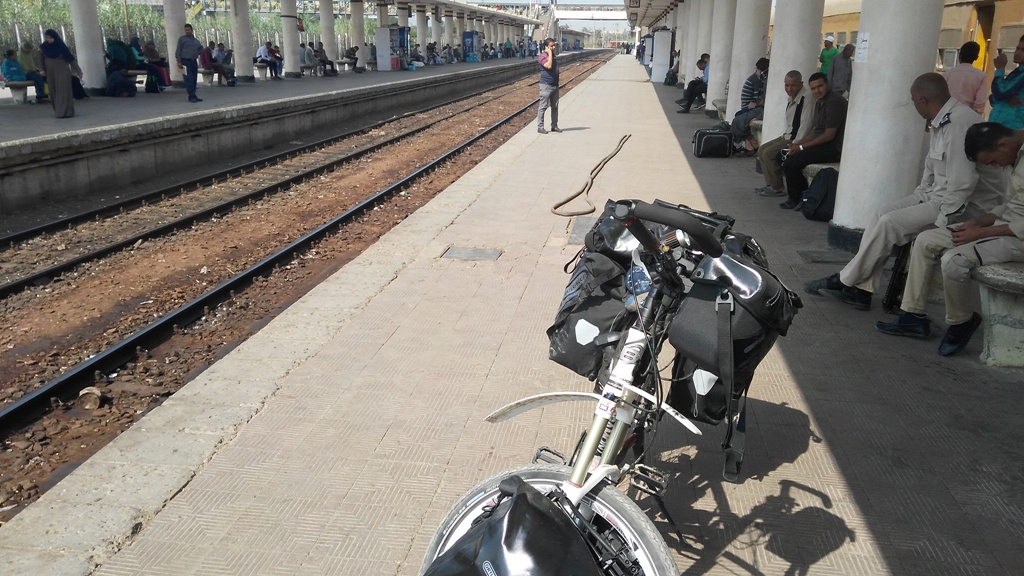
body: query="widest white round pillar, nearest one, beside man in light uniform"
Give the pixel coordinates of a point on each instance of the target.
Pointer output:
(882, 147)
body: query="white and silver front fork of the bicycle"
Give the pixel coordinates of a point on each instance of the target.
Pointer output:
(618, 404)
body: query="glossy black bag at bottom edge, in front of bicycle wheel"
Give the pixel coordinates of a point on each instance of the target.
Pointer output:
(526, 534)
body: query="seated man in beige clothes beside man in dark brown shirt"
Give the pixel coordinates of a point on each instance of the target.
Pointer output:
(799, 117)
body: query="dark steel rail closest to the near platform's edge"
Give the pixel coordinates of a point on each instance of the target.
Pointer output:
(121, 353)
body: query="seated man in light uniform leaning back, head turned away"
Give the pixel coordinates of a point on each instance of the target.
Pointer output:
(952, 189)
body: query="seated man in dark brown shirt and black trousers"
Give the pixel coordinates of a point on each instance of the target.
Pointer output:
(823, 144)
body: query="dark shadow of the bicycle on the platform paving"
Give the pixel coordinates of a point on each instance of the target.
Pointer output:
(793, 526)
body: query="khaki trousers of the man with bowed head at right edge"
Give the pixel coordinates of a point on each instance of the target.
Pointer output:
(935, 248)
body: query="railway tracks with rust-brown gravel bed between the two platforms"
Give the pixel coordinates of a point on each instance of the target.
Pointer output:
(139, 320)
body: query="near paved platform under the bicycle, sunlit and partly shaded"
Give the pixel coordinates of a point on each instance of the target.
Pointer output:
(336, 439)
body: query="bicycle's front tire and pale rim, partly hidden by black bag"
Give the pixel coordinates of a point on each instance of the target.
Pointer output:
(616, 515)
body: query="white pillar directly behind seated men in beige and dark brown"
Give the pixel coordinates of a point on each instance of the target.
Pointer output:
(796, 45)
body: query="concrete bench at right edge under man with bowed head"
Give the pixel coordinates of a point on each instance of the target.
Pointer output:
(1003, 310)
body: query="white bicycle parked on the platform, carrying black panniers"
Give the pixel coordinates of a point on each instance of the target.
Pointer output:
(629, 392)
